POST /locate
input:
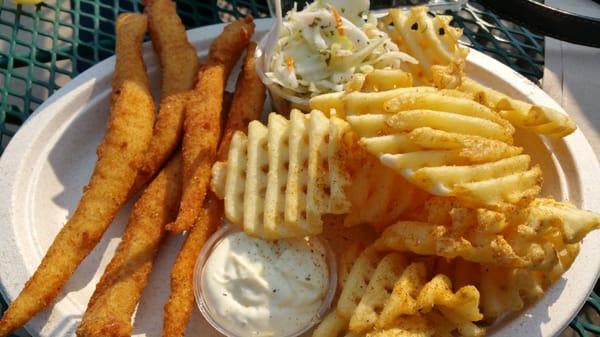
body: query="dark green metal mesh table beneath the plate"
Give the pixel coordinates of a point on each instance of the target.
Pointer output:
(42, 47)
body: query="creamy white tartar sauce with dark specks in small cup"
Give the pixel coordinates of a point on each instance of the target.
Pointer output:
(254, 287)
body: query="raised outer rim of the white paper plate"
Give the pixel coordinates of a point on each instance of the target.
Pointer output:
(12, 161)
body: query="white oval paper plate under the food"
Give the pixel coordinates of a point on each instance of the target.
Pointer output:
(44, 168)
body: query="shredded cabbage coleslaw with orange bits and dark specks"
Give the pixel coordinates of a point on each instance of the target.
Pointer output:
(322, 46)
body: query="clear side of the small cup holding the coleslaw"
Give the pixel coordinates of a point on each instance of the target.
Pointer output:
(281, 101)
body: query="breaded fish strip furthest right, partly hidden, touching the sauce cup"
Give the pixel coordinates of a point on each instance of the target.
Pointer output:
(247, 105)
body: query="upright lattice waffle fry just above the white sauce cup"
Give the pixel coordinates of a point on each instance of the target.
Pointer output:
(281, 179)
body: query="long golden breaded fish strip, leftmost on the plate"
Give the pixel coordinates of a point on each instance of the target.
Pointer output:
(127, 137)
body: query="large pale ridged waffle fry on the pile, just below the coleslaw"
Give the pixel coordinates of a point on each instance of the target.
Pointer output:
(448, 145)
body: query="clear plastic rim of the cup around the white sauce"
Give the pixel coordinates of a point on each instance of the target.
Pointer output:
(203, 306)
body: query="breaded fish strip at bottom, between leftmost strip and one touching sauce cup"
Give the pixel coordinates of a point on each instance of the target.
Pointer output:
(117, 294)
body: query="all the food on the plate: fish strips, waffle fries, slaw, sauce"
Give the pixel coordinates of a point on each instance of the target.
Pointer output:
(397, 205)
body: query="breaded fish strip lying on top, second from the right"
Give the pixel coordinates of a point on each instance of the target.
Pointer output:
(202, 128)
